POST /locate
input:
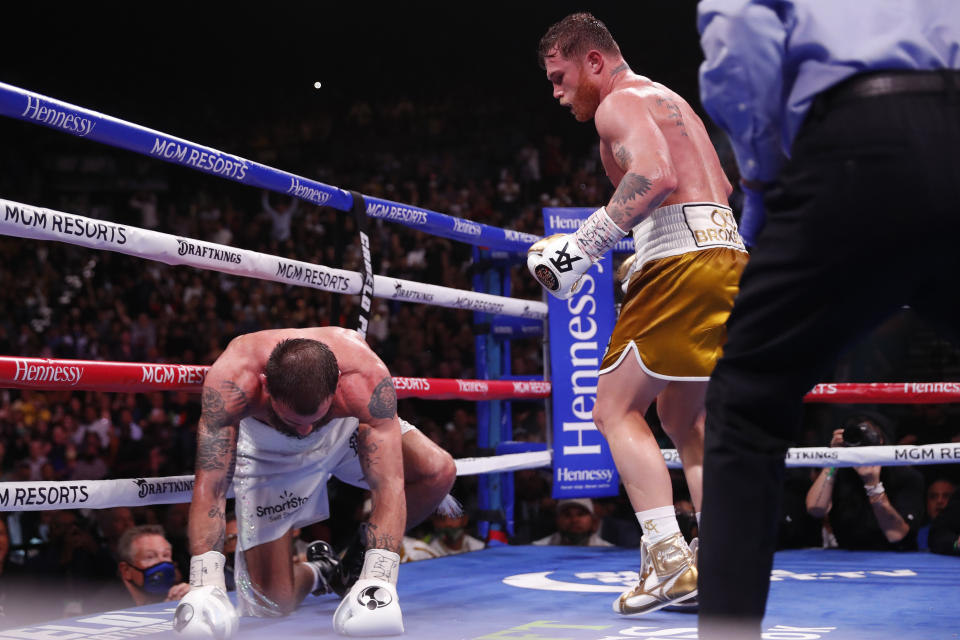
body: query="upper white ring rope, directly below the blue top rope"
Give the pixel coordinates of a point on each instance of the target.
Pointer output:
(27, 221)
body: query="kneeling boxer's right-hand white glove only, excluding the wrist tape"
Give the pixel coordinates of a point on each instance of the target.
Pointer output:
(370, 608)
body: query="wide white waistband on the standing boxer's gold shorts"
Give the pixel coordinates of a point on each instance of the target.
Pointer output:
(685, 227)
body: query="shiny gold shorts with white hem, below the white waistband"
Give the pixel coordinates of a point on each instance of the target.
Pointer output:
(674, 315)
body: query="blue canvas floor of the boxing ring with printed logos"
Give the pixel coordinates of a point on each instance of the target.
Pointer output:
(564, 593)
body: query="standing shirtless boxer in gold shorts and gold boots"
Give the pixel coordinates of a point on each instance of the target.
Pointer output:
(671, 191)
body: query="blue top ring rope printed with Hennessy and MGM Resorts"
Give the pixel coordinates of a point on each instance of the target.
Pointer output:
(84, 123)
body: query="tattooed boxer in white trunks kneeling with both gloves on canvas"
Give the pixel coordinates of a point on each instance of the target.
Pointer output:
(282, 411)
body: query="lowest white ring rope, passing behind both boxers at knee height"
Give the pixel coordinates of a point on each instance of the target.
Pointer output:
(103, 494)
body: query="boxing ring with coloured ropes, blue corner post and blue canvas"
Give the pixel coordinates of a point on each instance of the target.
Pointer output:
(520, 592)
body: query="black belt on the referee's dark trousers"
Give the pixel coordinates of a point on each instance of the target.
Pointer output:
(886, 83)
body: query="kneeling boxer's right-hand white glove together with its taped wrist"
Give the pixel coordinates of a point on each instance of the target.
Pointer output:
(371, 607)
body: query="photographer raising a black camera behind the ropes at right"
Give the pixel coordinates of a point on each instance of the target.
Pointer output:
(869, 507)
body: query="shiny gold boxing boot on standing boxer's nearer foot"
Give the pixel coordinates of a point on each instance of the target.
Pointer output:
(668, 575)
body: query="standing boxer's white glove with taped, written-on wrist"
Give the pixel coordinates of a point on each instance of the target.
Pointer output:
(558, 262)
